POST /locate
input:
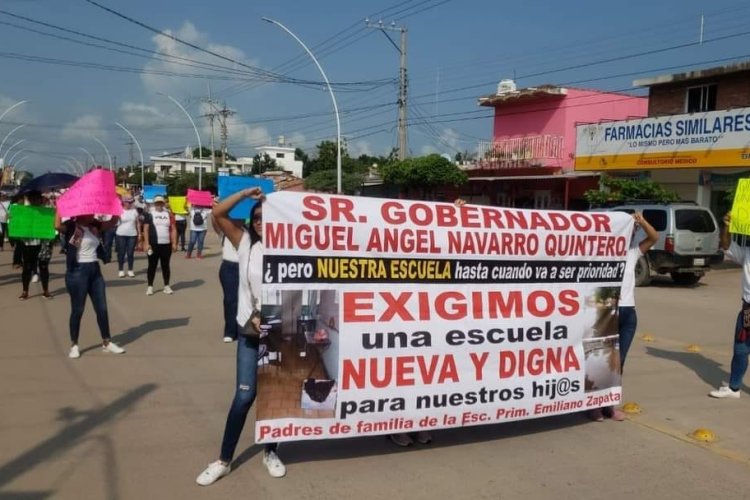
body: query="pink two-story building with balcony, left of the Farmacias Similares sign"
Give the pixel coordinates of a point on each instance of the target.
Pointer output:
(529, 162)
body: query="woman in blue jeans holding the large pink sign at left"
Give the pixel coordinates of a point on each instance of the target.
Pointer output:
(83, 277)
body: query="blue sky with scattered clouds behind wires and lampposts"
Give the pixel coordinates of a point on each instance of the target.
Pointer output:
(457, 51)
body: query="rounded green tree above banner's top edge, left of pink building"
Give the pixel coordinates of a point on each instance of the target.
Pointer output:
(424, 173)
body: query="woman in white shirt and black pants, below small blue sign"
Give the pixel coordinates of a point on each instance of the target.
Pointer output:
(160, 240)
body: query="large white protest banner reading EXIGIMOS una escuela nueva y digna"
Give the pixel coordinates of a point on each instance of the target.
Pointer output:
(394, 316)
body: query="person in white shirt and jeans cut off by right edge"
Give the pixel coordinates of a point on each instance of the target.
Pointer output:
(739, 254)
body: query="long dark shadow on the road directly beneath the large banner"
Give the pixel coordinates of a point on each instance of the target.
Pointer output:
(337, 449)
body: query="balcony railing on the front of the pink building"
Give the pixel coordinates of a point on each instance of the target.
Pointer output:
(524, 151)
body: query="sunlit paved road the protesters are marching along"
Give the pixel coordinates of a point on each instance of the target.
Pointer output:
(144, 424)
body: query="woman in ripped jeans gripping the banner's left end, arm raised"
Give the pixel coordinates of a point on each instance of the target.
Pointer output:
(250, 249)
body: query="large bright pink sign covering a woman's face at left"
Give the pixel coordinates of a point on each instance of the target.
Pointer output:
(94, 193)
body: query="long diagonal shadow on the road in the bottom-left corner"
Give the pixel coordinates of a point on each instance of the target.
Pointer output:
(71, 435)
